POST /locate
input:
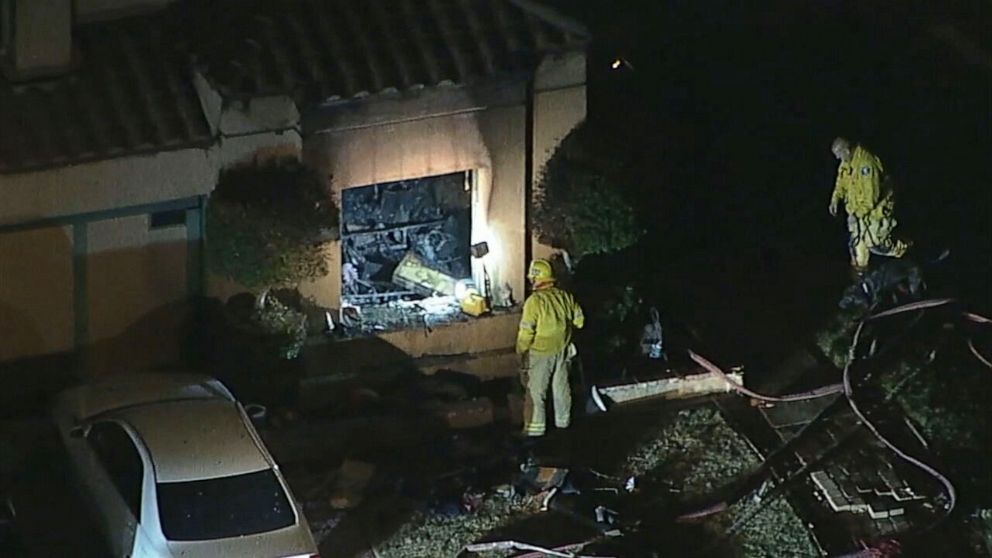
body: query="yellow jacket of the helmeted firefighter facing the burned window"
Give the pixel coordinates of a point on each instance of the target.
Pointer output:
(550, 314)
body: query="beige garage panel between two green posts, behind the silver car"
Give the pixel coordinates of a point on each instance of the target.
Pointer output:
(136, 283)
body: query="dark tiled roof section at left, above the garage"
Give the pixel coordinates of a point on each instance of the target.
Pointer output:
(128, 92)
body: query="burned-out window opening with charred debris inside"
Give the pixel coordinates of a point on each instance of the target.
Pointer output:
(405, 248)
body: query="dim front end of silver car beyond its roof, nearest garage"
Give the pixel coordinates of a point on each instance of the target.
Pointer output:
(127, 390)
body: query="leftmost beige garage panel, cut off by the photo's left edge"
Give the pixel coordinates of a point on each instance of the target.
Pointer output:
(36, 312)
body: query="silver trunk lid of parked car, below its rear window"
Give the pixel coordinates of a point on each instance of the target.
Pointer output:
(291, 541)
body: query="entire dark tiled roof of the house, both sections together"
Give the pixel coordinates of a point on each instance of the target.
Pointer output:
(130, 89)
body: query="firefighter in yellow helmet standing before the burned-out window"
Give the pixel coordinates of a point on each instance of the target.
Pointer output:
(544, 343)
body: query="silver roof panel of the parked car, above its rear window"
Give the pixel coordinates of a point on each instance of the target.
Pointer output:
(195, 439)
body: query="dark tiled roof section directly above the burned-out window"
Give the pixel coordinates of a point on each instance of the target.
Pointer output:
(342, 49)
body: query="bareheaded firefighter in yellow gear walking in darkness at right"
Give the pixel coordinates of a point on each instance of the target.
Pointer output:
(869, 201)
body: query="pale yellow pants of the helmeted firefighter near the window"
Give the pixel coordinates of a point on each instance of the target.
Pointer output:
(539, 372)
